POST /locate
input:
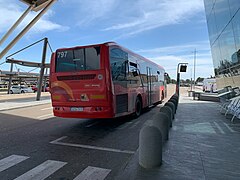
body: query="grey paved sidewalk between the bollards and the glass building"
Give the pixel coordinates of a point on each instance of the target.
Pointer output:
(202, 144)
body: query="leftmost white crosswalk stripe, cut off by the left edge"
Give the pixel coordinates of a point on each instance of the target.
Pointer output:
(11, 161)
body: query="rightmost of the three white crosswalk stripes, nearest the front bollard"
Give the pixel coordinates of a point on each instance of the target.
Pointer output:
(93, 173)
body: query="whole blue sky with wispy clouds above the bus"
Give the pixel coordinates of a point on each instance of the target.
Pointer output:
(164, 31)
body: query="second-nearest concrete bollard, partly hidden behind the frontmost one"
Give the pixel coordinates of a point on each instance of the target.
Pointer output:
(162, 122)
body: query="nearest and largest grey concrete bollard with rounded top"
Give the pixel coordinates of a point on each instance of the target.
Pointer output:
(150, 147)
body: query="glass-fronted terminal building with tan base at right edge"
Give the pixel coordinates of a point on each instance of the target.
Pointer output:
(223, 20)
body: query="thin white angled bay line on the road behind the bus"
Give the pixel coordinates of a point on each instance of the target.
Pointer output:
(57, 141)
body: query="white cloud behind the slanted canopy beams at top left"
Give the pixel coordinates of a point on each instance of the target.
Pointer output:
(11, 11)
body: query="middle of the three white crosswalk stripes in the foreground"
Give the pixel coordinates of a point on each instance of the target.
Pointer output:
(42, 171)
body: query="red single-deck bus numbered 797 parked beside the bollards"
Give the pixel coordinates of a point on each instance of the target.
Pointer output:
(103, 81)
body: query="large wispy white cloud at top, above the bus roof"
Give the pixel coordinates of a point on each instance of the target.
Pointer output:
(134, 16)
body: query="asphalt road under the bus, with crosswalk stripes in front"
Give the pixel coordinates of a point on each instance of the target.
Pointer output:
(36, 145)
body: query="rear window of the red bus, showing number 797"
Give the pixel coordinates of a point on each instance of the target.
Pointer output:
(78, 59)
